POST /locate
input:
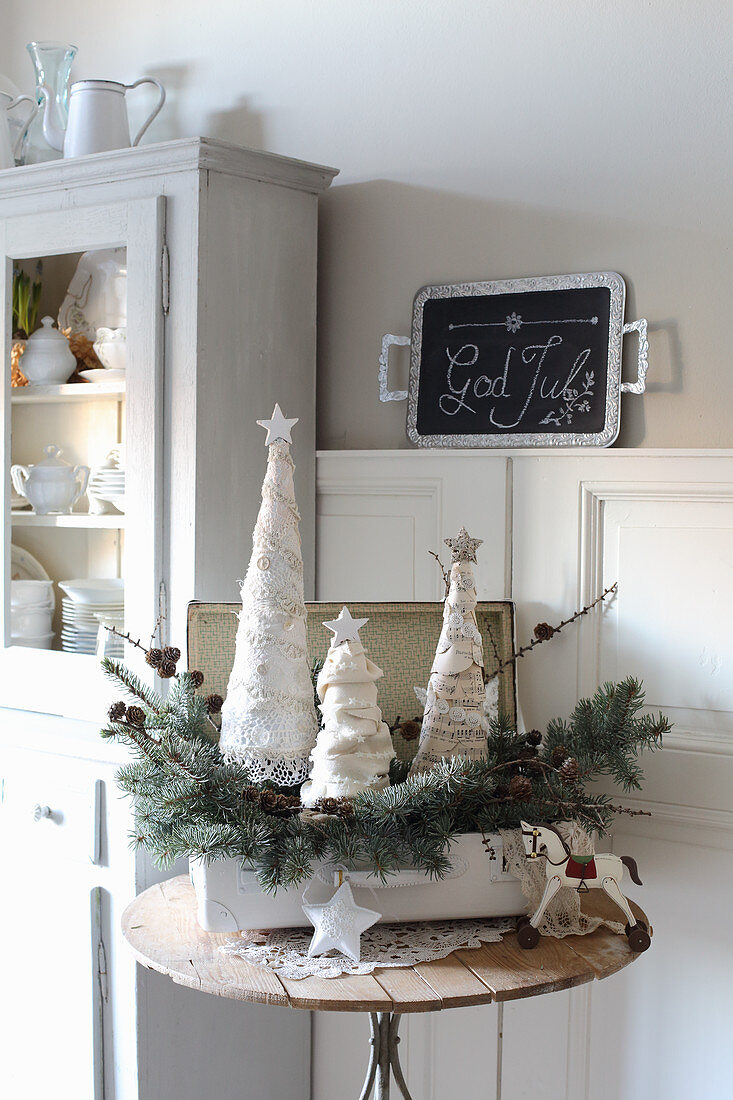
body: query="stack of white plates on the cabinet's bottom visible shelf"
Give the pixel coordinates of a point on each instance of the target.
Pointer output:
(89, 608)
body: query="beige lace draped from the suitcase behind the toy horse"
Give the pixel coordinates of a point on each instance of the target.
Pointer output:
(563, 917)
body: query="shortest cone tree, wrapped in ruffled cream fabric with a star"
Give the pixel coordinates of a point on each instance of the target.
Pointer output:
(355, 746)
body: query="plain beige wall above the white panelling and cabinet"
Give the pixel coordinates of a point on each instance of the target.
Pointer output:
(478, 139)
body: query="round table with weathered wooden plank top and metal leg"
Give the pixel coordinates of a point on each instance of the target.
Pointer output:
(163, 932)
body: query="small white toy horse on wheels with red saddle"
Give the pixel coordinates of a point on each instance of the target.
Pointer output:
(581, 873)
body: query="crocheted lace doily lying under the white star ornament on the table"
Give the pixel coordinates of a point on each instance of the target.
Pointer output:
(286, 951)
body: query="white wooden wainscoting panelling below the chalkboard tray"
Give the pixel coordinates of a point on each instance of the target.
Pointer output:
(557, 529)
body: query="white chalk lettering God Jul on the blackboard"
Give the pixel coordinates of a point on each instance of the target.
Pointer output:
(535, 369)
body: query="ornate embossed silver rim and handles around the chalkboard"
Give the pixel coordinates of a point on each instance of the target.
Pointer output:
(615, 386)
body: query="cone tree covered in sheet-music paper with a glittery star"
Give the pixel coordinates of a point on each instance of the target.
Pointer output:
(454, 724)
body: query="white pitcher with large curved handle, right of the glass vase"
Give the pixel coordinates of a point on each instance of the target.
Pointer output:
(97, 117)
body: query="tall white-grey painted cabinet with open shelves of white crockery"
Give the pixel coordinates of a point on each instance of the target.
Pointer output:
(221, 251)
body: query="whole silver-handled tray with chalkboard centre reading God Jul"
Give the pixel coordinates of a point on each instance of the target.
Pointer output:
(521, 362)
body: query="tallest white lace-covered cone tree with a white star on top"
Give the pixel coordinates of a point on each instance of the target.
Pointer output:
(269, 719)
